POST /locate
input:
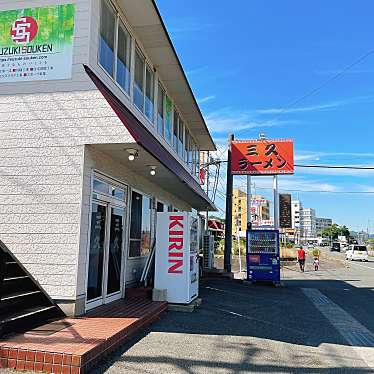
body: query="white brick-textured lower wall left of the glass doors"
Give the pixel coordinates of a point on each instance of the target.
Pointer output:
(41, 160)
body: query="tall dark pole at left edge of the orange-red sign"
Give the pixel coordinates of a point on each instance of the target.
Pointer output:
(228, 221)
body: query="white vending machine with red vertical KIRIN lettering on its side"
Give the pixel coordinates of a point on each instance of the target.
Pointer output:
(176, 257)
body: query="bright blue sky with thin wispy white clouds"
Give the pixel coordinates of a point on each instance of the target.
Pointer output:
(248, 60)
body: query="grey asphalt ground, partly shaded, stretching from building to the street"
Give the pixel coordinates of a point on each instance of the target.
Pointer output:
(318, 322)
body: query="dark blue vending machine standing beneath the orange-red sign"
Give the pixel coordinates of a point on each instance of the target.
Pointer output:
(263, 259)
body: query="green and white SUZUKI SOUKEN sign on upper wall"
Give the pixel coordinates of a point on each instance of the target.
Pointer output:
(36, 43)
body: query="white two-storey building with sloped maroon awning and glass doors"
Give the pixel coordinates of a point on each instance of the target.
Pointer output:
(90, 155)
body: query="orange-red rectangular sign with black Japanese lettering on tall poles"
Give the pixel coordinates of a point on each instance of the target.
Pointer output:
(262, 157)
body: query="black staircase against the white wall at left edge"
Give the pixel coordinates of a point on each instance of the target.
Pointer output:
(23, 303)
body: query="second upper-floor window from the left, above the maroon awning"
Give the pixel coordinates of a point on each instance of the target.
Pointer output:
(123, 58)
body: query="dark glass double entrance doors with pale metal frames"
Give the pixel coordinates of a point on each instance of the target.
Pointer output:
(105, 267)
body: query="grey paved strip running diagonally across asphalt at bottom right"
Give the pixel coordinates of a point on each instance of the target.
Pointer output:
(356, 334)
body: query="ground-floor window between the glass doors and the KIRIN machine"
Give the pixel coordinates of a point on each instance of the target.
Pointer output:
(140, 225)
